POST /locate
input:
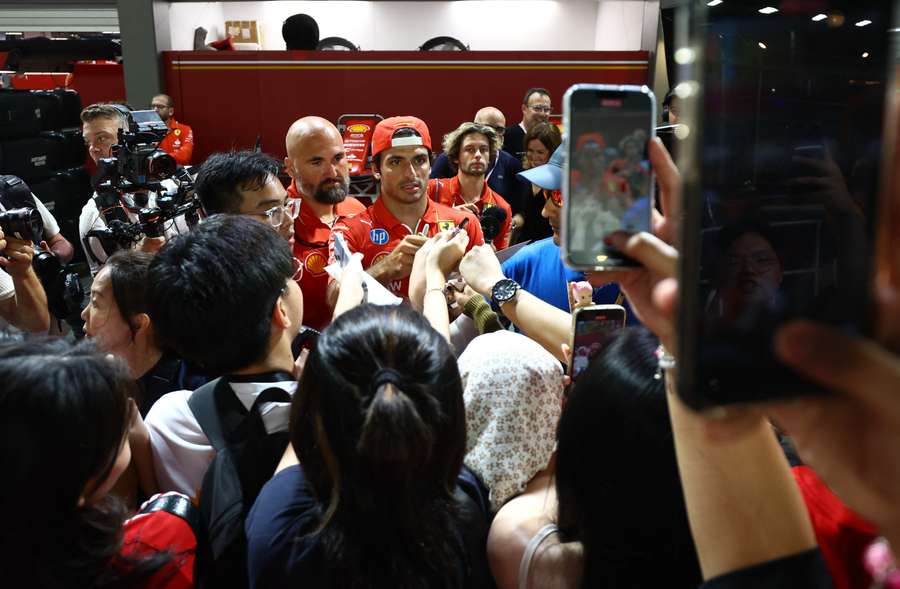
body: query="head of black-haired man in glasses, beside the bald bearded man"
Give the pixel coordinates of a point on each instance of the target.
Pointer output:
(246, 183)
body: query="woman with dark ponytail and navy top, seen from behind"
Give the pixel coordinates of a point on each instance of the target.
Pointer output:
(380, 497)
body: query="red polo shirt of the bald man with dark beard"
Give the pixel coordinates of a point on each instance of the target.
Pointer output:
(311, 248)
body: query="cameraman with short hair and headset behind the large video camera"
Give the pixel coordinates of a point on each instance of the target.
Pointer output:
(124, 203)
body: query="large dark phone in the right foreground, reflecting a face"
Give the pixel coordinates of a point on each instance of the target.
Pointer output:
(787, 138)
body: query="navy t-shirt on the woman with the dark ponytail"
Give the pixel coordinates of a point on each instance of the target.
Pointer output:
(283, 551)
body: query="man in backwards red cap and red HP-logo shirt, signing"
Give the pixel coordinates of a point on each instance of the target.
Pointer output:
(390, 232)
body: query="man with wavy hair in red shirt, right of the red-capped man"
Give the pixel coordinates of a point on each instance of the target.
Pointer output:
(470, 148)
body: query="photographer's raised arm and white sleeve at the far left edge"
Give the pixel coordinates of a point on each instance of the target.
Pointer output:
(23, 302)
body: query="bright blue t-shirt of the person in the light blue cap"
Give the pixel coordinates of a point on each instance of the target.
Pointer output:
(539, 269)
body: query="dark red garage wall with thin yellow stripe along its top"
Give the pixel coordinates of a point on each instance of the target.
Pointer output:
(230, 98)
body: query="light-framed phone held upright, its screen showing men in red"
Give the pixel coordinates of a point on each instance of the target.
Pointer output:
(608, 182)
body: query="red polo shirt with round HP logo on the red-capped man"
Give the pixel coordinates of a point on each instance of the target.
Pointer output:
(376, 232)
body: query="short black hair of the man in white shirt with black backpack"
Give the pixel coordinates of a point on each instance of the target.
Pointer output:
(212, 291)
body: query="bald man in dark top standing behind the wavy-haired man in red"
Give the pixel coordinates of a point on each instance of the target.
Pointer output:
(501, 173)
